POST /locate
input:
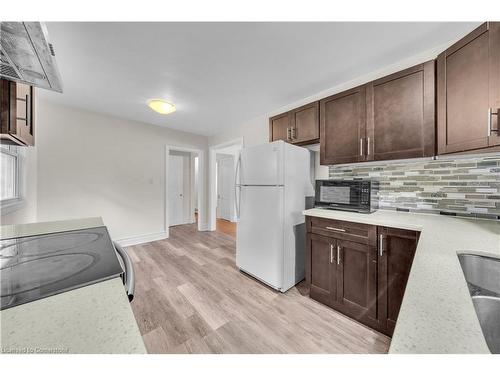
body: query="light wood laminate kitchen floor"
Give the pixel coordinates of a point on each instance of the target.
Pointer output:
(191, 298)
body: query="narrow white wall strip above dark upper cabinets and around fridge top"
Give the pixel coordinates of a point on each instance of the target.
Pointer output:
(256, 131)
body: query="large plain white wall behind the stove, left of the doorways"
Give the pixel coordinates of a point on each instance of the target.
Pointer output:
(91, 164)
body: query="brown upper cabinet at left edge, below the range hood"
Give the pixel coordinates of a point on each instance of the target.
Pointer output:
(17, 121)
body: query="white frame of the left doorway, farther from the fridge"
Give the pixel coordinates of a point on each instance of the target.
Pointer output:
(201, 183)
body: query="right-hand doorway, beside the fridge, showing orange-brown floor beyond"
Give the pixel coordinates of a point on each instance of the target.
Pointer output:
(223, 163)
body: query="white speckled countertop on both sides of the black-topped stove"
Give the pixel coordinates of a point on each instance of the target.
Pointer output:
(92, 319)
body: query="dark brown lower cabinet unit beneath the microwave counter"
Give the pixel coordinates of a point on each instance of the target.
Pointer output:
(359, 270)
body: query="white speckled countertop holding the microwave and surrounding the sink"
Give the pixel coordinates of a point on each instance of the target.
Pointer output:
(437, 315)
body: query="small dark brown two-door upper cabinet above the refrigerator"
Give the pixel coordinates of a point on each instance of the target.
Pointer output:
(299, 126)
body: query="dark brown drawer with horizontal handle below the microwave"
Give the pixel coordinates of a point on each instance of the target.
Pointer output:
(344, 230)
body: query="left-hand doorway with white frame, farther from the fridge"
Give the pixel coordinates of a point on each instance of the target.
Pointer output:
(184, 180)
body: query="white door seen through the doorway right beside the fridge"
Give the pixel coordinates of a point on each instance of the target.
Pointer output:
(225, 187)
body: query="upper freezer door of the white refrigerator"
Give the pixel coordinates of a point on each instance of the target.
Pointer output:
(262, 165)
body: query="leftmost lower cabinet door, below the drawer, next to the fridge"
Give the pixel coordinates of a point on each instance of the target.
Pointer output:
(323, 268)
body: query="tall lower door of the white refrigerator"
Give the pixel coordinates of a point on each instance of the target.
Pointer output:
(259, 244)
